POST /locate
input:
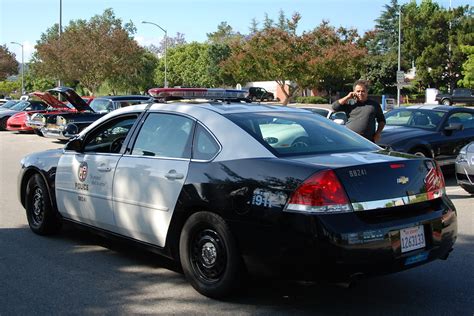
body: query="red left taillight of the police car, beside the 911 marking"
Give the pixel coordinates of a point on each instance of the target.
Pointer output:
(321, 193)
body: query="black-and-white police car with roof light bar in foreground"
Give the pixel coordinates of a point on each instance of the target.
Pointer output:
(226, 187)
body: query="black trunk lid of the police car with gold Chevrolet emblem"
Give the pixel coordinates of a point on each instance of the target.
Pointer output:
(375, 180)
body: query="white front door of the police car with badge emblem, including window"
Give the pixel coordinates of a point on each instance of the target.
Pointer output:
(84, 179)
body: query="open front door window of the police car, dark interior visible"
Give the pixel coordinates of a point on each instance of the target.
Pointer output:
(109, 137)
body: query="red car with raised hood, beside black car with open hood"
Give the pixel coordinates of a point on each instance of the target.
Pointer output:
(18, 122)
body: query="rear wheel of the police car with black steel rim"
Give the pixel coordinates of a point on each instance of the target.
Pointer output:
(209, 255)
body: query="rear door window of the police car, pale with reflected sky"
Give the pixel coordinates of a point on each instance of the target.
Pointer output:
(164, 135)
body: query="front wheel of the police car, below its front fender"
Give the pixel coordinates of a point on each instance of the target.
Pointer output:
(43, 219)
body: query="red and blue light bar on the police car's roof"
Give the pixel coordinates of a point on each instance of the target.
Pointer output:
(198, 93)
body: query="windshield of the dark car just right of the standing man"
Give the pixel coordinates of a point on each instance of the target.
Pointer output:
(425, 119)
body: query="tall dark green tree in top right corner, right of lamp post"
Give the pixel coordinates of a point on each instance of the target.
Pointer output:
(432, 37)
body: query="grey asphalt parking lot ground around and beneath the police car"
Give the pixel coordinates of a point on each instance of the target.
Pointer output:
(77, 272)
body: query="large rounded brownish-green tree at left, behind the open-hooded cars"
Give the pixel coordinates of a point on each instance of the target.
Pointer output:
(93, 52)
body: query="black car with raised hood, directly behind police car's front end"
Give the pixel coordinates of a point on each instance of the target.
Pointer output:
(64, 126)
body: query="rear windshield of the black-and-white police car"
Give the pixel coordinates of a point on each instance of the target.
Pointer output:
(293, 134)
